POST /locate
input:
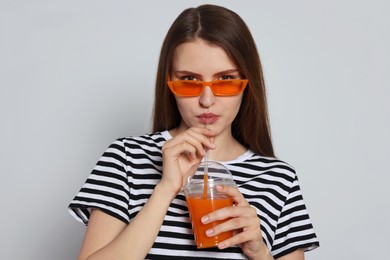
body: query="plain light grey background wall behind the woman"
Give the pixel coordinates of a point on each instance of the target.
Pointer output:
(75, 75)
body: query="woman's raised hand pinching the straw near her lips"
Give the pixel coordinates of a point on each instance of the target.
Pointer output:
(182, 155)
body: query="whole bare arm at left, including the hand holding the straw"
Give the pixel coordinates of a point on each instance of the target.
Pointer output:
(109, 238)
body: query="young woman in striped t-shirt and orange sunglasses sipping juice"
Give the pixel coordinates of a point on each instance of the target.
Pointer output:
(209, 72)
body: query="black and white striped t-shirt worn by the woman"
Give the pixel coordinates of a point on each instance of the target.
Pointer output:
(125, 176)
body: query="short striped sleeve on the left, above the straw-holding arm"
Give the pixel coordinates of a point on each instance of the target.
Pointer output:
(106, 188)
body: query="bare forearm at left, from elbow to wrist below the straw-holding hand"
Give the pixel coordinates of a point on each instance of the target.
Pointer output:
(135, 241)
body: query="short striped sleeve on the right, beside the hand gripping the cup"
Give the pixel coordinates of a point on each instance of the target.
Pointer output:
(294, 228)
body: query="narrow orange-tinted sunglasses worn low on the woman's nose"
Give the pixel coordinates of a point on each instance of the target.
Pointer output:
(193, 88)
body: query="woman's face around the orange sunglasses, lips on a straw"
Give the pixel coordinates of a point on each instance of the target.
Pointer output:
(199, 60)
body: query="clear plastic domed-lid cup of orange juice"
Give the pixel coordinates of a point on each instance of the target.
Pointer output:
(203, 198)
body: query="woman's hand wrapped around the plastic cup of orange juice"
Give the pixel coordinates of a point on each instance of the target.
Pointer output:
(244, 221)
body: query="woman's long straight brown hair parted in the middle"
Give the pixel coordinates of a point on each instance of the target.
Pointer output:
(223, 27)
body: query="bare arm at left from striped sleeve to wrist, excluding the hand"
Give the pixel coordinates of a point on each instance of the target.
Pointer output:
(110, 238)
